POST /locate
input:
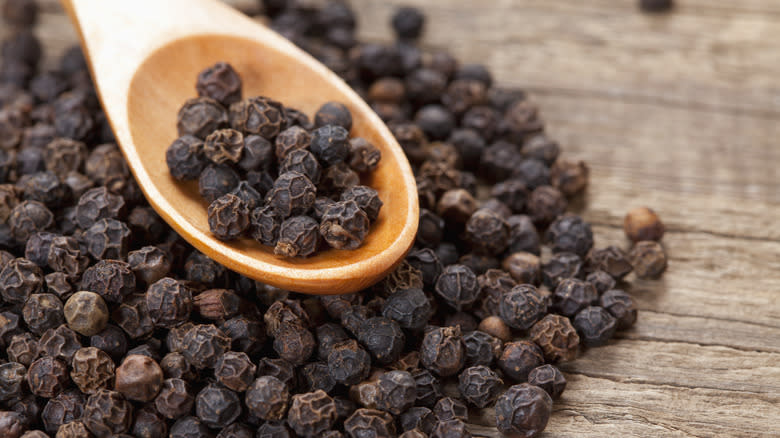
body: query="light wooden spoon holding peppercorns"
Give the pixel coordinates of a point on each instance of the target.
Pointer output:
(145, 56)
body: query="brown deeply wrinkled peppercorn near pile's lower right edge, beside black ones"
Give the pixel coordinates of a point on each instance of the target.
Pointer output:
(557, 337)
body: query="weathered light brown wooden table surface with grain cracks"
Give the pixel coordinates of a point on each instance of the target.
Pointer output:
(679, 112)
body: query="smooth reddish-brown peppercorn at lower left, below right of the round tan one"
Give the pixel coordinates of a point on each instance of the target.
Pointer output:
(139, 378)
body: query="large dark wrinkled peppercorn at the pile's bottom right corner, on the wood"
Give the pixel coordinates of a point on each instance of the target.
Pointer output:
(523, 410)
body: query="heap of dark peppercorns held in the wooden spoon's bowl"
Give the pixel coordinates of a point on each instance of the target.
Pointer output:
(308, 173)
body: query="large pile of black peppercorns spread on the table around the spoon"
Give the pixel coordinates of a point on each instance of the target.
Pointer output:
(111, 325)
